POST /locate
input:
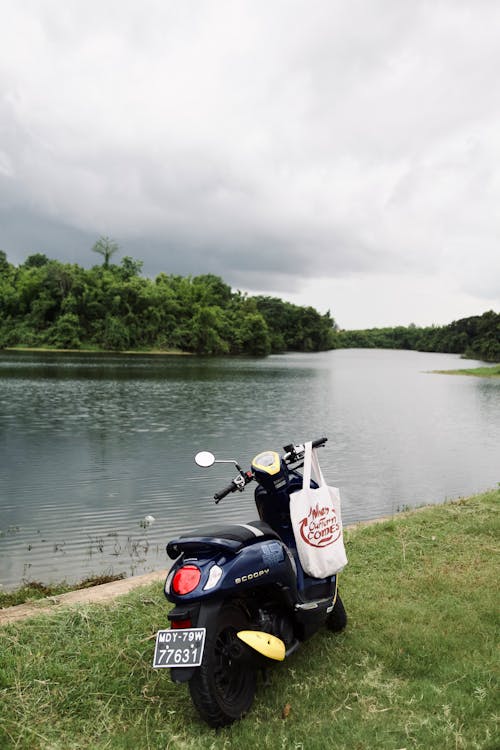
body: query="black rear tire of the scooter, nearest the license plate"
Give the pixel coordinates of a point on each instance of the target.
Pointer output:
(222, 688)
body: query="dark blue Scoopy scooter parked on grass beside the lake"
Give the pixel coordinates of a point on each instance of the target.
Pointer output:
(242, 600)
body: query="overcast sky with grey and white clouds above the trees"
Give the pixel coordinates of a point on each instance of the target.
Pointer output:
(343, 155)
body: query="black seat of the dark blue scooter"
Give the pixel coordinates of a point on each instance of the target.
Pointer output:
(230, 537)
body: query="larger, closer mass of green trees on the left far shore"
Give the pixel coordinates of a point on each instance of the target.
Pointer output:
(47, 303)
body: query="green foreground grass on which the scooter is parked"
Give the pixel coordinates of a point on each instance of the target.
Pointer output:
(414, 669)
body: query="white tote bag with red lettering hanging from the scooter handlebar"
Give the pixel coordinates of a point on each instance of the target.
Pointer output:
(316, 522)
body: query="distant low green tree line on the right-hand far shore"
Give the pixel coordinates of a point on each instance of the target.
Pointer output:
(476, 337)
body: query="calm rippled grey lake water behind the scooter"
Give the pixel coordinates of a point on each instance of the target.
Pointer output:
(92, 444)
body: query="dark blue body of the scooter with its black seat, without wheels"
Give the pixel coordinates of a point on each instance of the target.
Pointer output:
(255, 564)
